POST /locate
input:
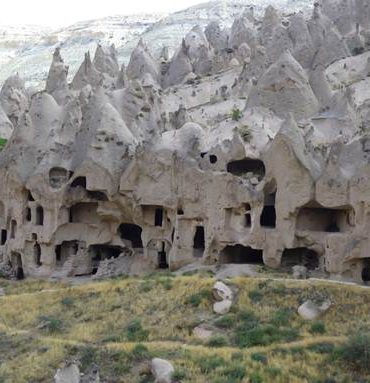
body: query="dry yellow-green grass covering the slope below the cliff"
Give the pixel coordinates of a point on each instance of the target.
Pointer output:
(42, 324)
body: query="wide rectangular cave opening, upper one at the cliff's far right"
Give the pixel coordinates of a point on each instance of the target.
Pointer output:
(318, 218)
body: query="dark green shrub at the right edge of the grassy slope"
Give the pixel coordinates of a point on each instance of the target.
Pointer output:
(355, 353)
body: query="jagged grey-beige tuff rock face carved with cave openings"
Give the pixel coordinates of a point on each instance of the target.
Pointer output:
(249, 145)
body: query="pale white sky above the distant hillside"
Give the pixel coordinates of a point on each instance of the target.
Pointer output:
(65, 12)
